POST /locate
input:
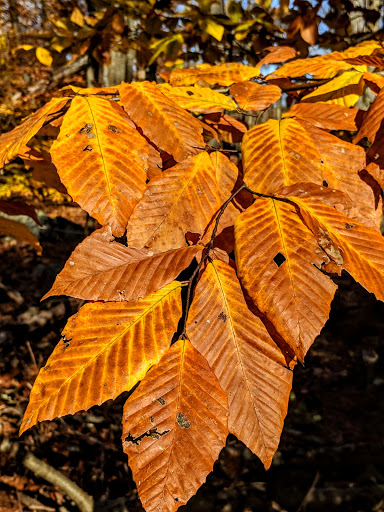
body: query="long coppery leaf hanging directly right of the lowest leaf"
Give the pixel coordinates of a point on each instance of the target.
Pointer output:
(248, 364)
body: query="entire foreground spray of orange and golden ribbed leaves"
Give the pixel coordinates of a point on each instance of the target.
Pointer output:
(211, 350)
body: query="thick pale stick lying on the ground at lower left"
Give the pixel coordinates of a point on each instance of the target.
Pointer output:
(73, 491)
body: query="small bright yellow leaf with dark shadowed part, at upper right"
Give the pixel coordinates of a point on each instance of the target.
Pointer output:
(343, 90)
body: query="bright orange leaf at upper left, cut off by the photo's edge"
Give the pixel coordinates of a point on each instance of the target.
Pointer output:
(12, 142)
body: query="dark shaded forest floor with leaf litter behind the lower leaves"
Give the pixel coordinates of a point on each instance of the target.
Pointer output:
(331, 455)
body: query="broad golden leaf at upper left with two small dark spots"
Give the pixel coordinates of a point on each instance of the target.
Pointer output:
(101, 160)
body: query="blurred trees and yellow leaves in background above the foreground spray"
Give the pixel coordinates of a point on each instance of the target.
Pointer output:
(45, 44)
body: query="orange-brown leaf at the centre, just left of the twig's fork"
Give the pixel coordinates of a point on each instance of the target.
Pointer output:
(183, 199)
